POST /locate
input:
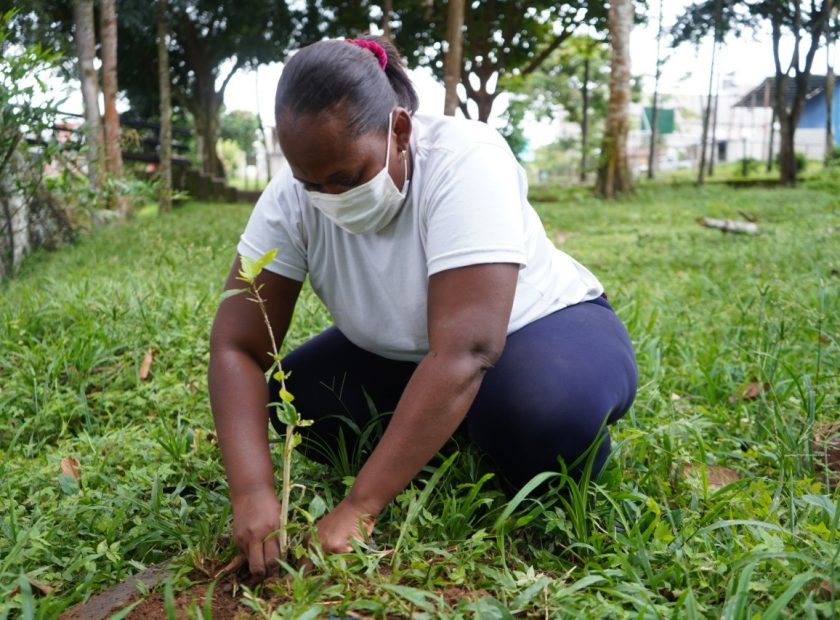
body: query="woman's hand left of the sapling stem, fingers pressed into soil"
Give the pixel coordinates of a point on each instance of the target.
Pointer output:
(256, 515)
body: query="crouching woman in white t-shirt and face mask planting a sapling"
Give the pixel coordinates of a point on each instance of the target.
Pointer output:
(450, 304)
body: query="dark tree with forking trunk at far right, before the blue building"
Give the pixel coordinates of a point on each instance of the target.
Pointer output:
(804, 21)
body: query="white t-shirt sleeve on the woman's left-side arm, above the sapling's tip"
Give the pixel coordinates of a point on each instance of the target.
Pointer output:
(276, 222)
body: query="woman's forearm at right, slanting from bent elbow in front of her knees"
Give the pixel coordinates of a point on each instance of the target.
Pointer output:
(432, 406)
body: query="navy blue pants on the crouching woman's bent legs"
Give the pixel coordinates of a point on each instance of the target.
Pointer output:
(559, 381)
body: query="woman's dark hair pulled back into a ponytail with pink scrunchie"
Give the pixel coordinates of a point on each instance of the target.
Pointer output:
(338, 73)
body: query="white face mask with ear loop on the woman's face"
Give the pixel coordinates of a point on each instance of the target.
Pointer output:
(368, 207)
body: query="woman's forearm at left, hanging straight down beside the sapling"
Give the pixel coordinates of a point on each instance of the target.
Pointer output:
(238, 397)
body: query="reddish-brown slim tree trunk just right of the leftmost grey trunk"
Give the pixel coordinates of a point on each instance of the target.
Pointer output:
(113, 154)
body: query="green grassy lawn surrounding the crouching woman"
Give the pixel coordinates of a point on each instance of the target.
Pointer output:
(709, 313)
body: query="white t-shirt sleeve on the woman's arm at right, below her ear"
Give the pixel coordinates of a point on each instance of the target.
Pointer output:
(474, 214)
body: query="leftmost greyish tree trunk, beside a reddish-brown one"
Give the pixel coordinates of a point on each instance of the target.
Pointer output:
(86, 51)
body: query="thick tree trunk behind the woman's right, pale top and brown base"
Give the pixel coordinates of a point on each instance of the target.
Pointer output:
(613, 172)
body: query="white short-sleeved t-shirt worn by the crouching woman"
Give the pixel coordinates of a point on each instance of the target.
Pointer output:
(467, 204)
